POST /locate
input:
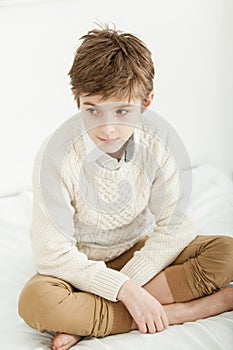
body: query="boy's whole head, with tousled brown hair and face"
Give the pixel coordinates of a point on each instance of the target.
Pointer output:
(111, 69)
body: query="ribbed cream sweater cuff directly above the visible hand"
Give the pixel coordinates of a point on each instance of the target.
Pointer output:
(107, 283)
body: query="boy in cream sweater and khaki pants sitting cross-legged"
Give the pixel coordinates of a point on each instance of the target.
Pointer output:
(114, 245)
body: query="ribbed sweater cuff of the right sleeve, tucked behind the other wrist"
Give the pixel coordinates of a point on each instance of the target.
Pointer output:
(139, 271)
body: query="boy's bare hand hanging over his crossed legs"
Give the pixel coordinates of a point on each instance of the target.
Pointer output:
(146, 311)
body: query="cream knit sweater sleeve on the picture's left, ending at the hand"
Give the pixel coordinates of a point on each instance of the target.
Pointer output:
(55, 250)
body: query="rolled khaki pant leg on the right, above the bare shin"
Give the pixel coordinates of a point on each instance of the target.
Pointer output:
(205, 266)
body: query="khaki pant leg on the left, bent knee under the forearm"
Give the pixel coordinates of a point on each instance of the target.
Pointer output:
(52, 304)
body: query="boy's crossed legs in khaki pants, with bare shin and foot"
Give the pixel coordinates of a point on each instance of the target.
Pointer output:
(203, 268)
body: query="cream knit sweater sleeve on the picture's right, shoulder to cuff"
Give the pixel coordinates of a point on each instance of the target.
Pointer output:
(175, 225)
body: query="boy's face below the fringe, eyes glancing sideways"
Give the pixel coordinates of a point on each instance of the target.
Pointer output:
(110, 123)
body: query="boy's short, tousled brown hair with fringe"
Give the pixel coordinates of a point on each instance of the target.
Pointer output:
(111, 63)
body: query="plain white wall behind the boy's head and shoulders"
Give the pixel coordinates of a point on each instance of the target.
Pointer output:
(191, 41)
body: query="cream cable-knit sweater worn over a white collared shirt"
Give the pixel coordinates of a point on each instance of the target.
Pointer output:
(107, 206)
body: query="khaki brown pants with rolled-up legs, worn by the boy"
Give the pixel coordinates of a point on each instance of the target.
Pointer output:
(52, 304)
